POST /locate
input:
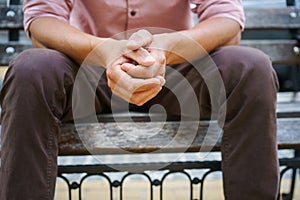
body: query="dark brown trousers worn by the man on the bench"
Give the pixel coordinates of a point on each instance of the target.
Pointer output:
(36, 98)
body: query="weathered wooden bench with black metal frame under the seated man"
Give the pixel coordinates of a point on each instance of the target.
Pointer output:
(283, 51)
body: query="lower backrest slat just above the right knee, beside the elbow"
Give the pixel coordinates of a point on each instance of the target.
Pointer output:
(280, 51)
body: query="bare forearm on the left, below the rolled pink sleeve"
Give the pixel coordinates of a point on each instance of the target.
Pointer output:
(47, 32)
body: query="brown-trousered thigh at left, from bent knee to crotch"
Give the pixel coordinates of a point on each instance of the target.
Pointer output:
(55, 77)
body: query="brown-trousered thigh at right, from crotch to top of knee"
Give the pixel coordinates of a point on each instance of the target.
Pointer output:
(205, 84)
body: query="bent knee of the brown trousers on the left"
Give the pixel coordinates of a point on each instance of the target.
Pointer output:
(38, 76)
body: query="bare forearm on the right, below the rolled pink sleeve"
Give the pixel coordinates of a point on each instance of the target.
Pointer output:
(201, 39)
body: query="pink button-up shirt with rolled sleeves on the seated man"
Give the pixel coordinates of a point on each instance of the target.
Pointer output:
(106, 18)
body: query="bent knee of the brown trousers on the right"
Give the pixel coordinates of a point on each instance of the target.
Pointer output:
(246, 68)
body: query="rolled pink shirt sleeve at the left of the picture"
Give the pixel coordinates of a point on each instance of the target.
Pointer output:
(33, 9)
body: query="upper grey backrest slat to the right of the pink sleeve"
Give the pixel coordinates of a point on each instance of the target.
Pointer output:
(272, 18)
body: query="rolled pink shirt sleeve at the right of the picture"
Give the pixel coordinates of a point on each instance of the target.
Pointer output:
(232, 9)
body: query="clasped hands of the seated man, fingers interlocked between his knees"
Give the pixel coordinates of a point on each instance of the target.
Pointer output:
(137, 75)
